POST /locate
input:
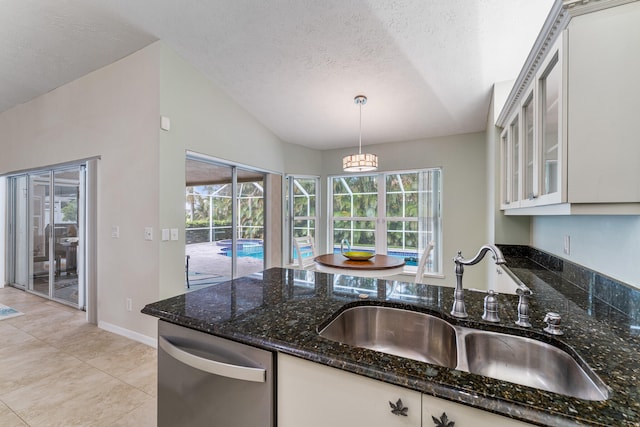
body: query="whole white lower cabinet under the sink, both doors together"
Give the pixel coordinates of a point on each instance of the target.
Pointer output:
(314, 395)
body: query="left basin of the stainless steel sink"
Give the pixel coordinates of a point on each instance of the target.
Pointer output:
(403, 333)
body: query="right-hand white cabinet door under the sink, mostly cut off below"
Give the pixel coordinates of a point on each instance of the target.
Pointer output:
(461, 415)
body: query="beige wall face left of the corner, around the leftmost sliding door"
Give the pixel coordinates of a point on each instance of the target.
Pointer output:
(111, 113)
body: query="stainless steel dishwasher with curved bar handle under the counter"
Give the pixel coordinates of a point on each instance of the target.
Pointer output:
(204, 380)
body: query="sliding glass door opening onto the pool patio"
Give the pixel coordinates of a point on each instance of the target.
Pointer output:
(225, 222)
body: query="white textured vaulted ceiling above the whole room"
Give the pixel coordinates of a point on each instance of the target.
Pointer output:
(427, 66)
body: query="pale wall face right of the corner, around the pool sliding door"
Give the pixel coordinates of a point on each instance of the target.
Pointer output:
(206, 121)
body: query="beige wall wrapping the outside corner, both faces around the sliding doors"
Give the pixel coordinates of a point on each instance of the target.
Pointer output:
(115, 113)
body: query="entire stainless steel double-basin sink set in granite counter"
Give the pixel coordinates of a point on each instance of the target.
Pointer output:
(427, 338)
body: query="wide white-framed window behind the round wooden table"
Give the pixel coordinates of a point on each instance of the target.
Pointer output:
(393, 213)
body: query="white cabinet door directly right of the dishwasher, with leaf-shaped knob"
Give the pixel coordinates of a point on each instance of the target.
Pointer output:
(314, 395)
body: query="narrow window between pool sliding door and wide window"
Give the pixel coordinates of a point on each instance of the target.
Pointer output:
(302, 197)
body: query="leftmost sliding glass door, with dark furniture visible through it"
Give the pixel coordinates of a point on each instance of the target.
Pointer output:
(46, 226)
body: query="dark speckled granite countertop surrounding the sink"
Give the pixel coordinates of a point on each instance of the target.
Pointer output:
(281, 309)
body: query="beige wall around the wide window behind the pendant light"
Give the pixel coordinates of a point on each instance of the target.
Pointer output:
(462, 158)
